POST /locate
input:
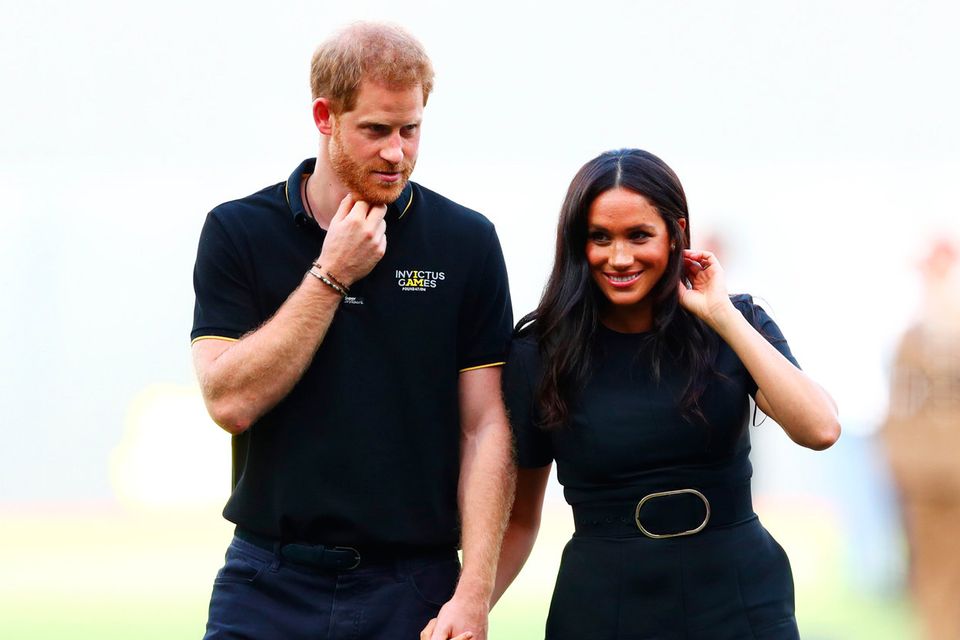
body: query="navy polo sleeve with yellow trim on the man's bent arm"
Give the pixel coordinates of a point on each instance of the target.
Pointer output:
(225, 305)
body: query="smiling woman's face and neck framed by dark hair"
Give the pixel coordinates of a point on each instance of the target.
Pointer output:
(628, 249)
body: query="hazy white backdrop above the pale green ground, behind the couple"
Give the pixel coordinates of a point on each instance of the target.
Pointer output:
(819, 139)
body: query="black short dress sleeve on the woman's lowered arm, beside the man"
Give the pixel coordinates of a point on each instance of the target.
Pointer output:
(519, 384)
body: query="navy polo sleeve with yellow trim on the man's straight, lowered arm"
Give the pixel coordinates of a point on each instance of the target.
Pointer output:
(486, 317)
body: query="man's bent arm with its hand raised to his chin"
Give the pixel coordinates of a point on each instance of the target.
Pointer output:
(240, 381)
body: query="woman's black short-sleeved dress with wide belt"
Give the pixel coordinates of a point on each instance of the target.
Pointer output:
(626, 439)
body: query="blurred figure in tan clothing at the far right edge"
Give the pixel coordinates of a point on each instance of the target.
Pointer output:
(922, 438)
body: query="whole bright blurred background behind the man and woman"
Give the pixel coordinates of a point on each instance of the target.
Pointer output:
(818, 143)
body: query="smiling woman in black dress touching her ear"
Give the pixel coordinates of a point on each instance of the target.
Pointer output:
(634, 374)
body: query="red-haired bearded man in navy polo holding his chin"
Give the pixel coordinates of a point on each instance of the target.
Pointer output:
(349, 330)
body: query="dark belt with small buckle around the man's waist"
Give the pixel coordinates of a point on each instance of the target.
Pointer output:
(338, 558)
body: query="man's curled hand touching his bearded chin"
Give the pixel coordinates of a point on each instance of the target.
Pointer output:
(356, 240)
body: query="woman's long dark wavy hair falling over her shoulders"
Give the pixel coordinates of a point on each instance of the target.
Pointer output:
(569, 311)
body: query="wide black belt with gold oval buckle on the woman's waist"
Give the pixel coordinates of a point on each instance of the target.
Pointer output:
(666, 513)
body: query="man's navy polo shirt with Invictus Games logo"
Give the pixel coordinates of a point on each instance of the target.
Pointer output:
(365, 448)
